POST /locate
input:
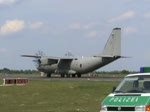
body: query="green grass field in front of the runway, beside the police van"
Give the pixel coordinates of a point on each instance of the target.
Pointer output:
(55, 96)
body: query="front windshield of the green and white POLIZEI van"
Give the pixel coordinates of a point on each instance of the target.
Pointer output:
(134, 84)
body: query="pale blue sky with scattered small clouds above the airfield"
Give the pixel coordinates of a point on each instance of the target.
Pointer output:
(81, 27)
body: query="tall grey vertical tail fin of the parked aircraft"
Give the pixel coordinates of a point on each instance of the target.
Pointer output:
(113, 45)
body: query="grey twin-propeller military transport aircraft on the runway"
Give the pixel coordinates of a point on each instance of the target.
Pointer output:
(71, 66)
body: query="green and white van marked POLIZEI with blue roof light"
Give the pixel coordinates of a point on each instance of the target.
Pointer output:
(132, 94)
